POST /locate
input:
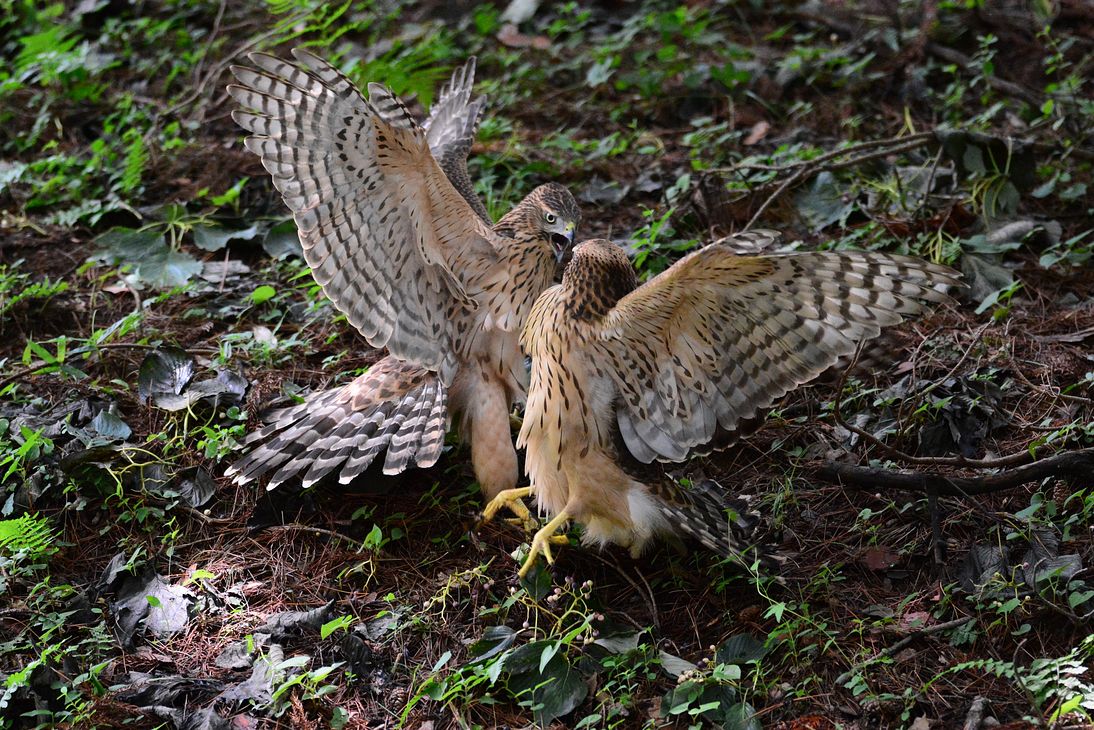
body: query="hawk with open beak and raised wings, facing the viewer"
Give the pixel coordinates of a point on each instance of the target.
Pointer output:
(399, 241)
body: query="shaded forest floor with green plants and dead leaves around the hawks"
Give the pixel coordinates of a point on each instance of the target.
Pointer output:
(144, 250)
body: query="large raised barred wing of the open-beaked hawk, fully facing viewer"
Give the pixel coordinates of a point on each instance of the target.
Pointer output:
(390, 240)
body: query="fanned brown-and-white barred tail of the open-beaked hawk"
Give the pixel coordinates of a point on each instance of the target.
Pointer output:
(397, 408)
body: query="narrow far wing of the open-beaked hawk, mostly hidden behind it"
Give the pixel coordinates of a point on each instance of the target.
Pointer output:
(450, 132)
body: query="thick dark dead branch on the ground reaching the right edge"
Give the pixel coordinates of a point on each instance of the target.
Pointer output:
(1077, 465)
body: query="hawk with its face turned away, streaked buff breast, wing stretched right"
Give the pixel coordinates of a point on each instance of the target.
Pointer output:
(624, 376)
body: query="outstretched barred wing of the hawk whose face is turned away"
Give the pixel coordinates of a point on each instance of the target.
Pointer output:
(718, 337)
